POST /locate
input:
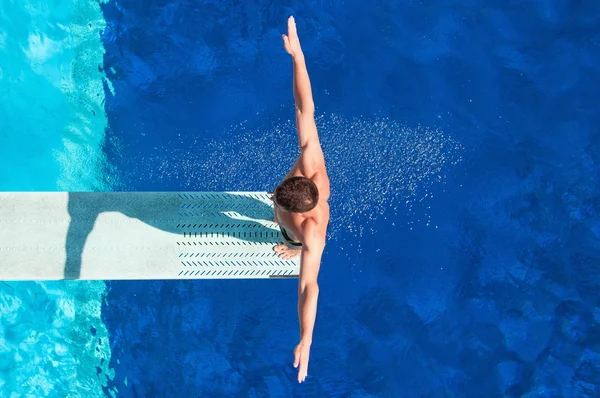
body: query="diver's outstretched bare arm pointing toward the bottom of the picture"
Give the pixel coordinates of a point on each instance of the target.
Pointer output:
(308, 294)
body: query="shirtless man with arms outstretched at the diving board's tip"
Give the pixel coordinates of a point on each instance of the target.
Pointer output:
(300, 203)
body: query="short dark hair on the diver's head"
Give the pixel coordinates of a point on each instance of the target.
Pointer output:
(297, 194)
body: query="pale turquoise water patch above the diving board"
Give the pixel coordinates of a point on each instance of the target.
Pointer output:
(52, 118)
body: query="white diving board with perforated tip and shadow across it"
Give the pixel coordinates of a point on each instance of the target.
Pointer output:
(139, 235)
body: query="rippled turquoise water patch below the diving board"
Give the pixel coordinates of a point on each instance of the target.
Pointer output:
(52, 340)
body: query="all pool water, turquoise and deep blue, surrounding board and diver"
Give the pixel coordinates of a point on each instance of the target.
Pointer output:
(462, 141)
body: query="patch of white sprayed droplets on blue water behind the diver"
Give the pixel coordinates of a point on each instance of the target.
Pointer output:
(375, 165)
